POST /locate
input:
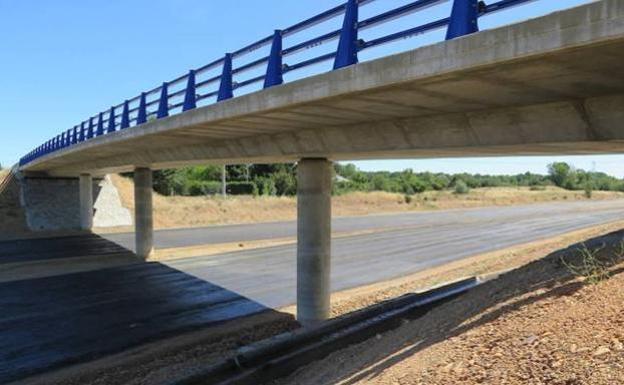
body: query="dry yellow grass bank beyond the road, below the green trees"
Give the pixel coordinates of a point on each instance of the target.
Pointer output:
(171, 212)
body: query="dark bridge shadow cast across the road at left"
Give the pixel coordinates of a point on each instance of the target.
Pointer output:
(50, 322)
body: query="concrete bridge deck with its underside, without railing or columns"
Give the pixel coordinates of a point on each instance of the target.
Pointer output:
(552, 85)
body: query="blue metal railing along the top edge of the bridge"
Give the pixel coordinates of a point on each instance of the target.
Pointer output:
(162, 101)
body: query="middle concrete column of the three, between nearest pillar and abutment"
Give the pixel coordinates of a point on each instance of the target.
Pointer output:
(144, 226)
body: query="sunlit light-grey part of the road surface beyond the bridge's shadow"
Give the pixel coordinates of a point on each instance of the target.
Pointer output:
(404, 243)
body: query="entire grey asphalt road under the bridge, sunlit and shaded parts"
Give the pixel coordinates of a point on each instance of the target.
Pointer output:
(50, 322)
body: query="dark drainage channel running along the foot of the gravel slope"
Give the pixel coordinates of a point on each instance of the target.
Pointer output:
(279, 356)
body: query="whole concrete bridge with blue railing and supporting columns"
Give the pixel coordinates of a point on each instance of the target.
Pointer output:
(550, 85)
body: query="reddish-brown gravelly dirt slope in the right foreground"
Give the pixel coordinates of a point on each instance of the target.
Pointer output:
(537, 324)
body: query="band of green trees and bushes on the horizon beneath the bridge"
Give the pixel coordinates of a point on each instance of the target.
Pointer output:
(280, 180)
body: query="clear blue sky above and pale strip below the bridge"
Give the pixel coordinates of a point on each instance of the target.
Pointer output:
(63, 61)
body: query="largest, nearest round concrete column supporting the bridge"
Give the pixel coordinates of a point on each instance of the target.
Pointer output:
(314, 180)
